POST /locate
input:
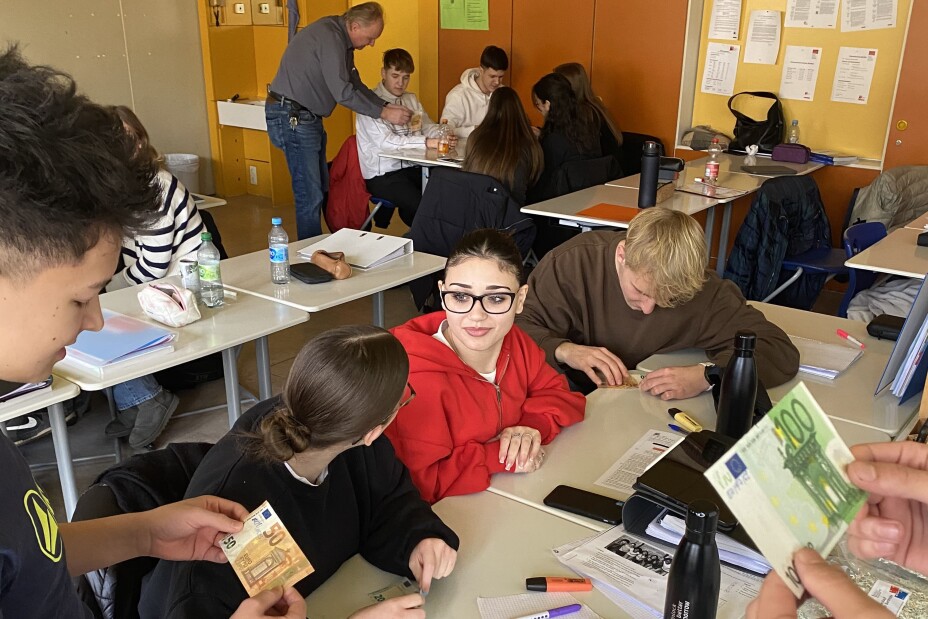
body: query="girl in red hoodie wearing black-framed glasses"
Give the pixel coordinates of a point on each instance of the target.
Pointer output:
(487, 400)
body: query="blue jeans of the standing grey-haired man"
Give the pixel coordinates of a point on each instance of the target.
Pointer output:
(304, 148)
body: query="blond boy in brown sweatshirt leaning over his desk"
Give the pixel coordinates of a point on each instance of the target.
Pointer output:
(604, 301)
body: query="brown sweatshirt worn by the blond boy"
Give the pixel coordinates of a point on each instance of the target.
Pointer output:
(574, 295)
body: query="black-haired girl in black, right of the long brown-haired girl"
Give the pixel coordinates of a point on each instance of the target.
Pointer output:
(567, 135)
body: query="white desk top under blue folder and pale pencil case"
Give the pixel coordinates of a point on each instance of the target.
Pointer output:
(240, 320)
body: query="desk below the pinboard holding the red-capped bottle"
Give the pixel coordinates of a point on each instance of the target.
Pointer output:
(730, 176)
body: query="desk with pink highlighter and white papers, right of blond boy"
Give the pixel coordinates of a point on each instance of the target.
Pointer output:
(849, 397)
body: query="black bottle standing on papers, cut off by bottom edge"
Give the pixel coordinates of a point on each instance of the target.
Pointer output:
(695, 574)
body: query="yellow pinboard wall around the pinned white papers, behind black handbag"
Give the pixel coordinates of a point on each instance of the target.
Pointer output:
(824, 124)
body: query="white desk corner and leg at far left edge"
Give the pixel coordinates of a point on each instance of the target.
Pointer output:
(53, 398)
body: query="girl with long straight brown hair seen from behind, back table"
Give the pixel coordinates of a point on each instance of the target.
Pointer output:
(504, 147)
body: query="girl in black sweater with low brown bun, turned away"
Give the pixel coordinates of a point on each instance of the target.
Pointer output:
(316, 454)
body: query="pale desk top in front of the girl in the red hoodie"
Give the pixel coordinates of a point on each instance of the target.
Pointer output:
(615, 419)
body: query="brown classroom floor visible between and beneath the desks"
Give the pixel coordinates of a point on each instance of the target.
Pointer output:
(244, 223)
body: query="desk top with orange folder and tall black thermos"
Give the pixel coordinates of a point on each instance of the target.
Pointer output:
(568, 206)
